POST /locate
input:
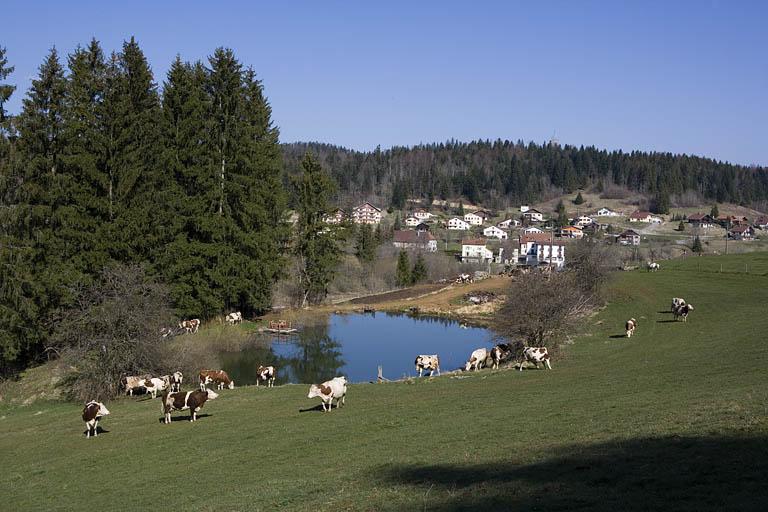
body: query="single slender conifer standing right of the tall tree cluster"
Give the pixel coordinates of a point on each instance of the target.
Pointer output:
(316, 244)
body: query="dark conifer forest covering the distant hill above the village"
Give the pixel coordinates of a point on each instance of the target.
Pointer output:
(501, 173)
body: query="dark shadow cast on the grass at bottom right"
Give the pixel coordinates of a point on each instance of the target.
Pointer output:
(670, 473)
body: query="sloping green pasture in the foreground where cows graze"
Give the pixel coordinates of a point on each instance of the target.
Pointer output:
(674, 418)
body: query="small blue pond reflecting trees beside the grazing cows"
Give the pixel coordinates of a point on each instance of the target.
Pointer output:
(354, 345)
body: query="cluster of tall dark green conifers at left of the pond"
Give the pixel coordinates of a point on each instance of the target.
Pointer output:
(100, 168)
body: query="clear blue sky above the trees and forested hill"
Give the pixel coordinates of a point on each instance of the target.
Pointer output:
(685, 77)
